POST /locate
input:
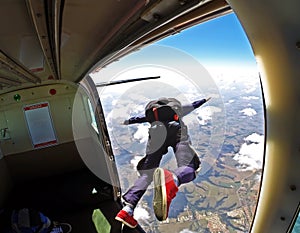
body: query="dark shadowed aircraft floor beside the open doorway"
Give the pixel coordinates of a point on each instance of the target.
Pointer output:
(70, 198)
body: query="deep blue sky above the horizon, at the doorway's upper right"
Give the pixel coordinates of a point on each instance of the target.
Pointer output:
(220, 40)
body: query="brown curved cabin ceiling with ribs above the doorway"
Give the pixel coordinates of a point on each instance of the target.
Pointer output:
(64, 39)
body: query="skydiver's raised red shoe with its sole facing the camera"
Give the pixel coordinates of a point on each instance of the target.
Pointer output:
(165, 190)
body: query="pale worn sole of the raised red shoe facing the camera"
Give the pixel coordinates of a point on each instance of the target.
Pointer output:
(160, 197)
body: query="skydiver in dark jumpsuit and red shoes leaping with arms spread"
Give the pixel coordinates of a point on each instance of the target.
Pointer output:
(167, 129)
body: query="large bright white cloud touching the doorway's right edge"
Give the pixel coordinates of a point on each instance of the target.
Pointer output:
(250, 155)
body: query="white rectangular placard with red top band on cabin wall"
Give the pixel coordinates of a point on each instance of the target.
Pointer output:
(40, 125)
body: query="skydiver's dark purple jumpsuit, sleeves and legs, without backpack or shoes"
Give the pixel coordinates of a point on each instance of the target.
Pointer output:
(161, 136)
